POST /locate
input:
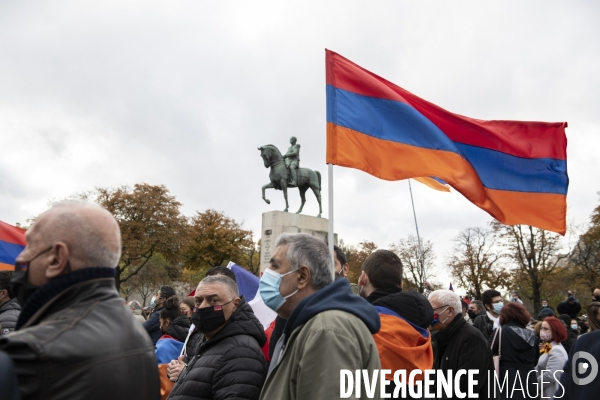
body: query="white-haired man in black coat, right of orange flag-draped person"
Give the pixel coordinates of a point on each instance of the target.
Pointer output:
(458, 345)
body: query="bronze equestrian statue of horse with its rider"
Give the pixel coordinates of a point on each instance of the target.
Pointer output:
(286, 173)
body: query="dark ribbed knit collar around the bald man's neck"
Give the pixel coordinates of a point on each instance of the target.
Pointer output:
(46, 294)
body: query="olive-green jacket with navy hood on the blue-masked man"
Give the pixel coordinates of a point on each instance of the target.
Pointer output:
(328, 331)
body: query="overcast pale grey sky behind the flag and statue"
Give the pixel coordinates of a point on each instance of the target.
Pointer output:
(181, 93)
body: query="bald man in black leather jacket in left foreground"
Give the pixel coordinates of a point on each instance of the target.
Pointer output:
(75, 337)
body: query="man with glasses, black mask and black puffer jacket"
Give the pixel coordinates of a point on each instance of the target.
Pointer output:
(230, 362)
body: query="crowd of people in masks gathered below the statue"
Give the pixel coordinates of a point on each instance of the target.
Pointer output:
(67, 334)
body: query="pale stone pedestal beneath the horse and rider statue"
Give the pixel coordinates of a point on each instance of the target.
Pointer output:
(277, 222)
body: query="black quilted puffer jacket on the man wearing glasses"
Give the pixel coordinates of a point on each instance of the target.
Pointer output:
(230, 365)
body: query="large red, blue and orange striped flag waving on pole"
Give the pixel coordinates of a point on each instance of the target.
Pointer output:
(514, 170)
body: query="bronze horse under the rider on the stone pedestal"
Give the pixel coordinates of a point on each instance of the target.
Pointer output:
(279, 175)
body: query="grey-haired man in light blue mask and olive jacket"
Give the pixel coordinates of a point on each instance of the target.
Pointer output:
(328, 328)
